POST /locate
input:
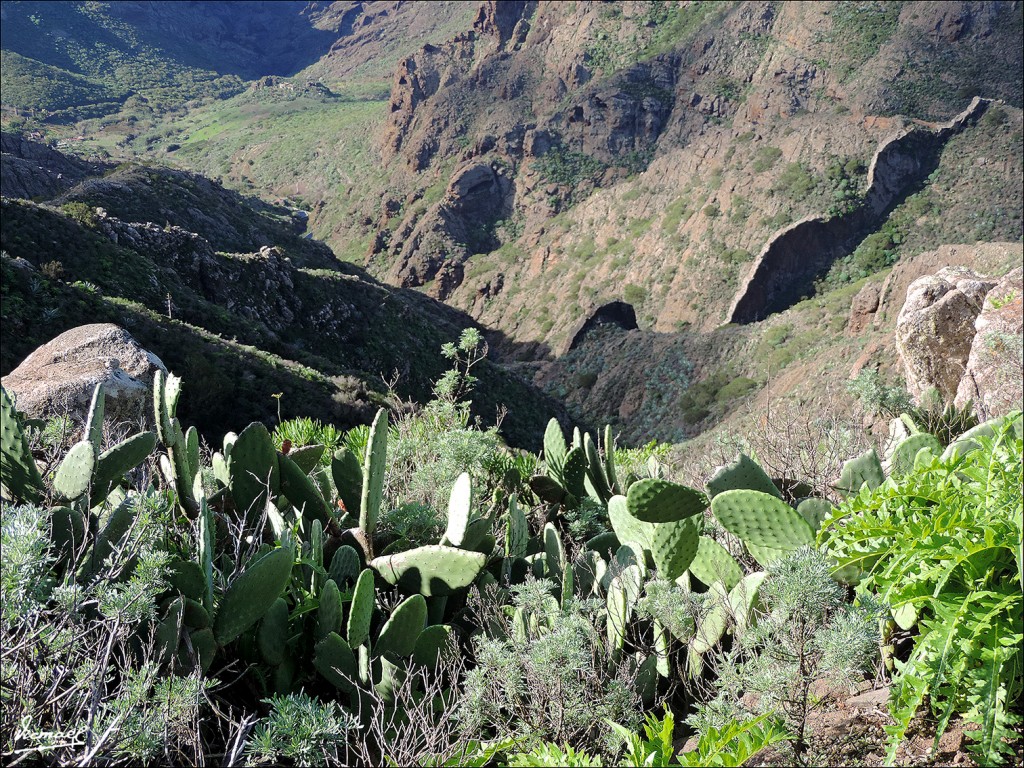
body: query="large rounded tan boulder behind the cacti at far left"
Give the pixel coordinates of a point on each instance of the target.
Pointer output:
(60, 377)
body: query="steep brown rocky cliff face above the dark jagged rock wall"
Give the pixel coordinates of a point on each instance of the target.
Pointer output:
(690, 132)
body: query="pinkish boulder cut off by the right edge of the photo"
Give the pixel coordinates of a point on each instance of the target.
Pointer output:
(994, 376)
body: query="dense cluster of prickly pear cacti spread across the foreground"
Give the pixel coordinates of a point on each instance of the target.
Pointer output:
(286, 571)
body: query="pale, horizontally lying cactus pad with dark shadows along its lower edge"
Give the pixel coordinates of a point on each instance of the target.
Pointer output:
(432, 570)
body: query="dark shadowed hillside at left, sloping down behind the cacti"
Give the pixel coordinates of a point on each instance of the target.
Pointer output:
(164, 254)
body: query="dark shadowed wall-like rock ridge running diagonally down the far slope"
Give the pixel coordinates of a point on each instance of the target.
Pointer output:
(790, 263)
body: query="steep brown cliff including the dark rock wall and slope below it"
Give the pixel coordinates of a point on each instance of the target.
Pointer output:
(646, 154)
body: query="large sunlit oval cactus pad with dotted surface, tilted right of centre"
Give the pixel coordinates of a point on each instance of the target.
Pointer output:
(762, 520)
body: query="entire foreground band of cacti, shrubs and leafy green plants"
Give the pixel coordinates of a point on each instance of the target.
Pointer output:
(418, 593)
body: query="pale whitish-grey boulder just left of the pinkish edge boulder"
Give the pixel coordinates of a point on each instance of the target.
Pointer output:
(936, 327)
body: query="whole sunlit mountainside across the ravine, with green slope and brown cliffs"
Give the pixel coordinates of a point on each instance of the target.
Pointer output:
(557, 170)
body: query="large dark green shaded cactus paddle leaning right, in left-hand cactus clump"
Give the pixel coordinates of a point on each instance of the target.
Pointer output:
(252, 594)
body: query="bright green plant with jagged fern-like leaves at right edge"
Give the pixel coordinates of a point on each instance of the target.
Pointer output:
(943, 546)
